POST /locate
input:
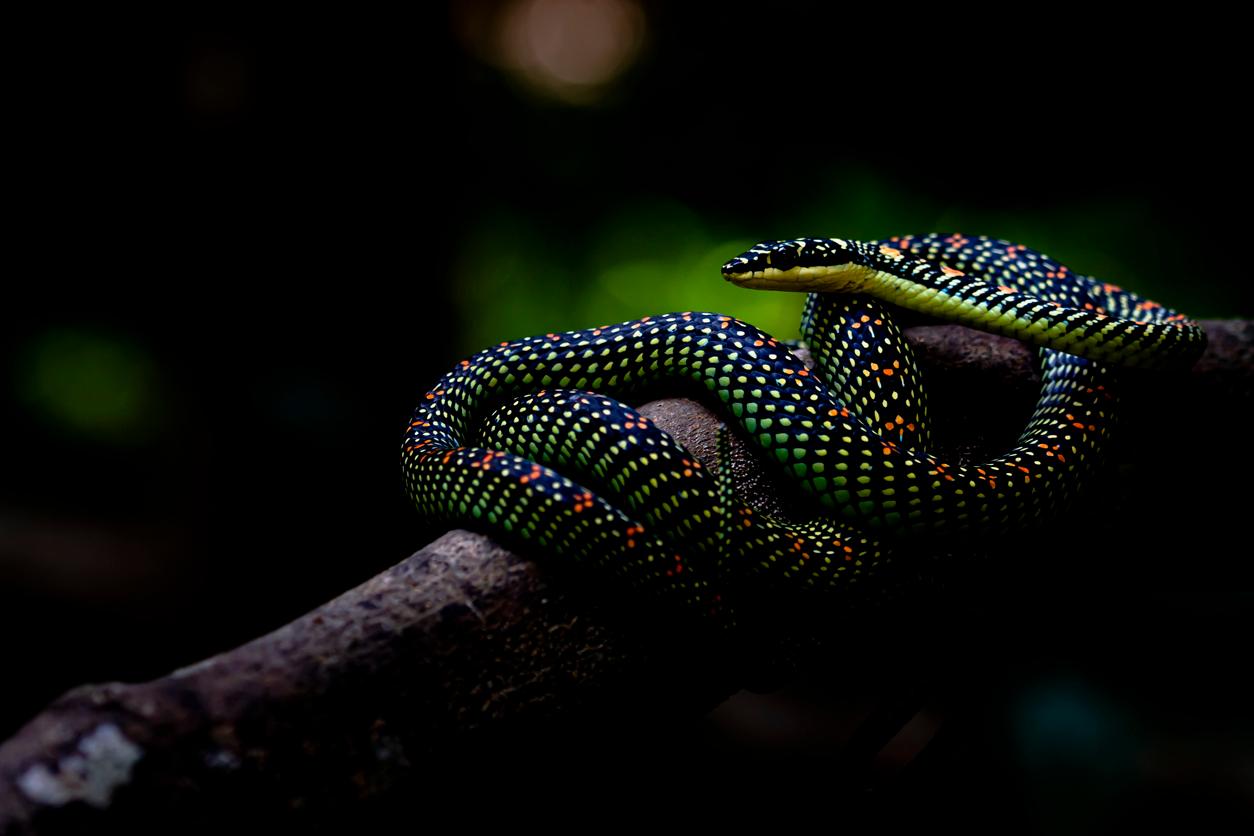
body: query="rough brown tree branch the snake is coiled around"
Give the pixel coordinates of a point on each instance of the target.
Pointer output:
(466, 645)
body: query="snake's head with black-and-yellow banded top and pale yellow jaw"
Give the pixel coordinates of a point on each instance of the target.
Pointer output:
(799, 265)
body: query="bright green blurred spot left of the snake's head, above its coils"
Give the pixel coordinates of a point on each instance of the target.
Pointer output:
(650, 258)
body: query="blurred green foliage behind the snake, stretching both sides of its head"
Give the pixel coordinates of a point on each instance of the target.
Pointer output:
(522, 271)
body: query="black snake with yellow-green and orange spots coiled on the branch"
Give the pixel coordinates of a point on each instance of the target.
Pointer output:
(531, 439)
